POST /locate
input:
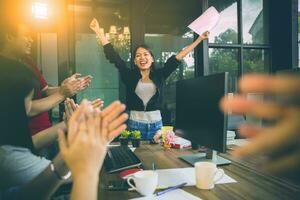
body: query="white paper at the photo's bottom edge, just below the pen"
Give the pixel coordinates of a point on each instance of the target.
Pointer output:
(178, 194)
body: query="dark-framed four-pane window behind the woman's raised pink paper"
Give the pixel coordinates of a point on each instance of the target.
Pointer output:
(239, 44)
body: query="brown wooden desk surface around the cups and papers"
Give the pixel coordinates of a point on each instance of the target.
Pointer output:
(251, 184)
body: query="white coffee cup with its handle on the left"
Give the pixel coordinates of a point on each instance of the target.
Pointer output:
(145, 182)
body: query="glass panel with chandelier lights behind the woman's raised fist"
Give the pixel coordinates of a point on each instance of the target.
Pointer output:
(89, 56)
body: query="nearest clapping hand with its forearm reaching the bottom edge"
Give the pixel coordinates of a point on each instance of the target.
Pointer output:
(85, 153)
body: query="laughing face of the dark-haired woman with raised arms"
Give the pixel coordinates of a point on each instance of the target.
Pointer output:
(143, 59)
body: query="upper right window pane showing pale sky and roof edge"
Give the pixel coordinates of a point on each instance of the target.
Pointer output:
(255, 22)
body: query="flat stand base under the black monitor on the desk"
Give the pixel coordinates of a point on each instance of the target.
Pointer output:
(209, 156)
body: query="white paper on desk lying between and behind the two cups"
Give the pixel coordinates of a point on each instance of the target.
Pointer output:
(171, 177)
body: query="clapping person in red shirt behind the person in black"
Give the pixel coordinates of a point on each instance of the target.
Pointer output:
(19, 48)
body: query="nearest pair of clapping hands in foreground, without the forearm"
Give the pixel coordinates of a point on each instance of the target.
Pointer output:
(89, 134)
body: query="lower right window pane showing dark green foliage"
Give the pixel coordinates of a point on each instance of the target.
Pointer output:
(256, 61)
